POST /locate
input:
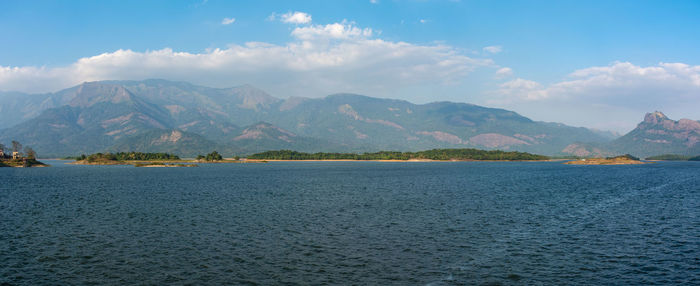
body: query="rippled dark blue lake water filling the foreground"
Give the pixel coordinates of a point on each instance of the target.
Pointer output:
(363, 223)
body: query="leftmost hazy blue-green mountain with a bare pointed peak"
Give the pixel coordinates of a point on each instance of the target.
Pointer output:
(94, 118)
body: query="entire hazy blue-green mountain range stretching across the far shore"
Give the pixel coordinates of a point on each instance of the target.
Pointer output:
(186, 119)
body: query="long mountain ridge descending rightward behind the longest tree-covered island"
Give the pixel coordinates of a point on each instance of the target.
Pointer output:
(385, 124)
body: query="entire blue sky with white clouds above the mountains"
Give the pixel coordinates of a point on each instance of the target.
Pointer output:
(597, 64)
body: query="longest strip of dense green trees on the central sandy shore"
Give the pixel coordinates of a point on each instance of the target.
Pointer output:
(467, 154)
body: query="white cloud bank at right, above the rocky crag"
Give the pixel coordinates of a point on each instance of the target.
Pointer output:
(620, 92)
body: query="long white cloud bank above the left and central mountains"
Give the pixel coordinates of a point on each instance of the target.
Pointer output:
(319, 60)
